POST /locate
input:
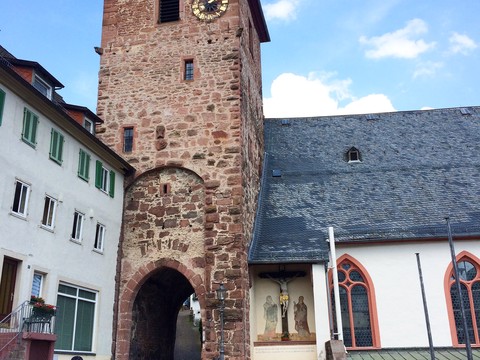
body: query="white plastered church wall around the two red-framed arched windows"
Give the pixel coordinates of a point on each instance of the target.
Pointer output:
(394, 272)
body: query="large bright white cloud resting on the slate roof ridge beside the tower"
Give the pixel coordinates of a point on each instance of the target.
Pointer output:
(317, 95)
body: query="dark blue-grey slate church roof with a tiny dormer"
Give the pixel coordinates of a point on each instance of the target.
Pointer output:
(417, 167)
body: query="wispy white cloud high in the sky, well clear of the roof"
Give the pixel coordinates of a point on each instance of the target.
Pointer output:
(401, 43)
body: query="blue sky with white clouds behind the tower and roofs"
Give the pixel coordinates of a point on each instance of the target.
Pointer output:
(325, 57)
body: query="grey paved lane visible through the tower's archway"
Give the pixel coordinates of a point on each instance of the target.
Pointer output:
(187, 343)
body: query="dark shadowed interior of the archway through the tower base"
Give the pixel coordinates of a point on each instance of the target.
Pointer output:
(154, 315)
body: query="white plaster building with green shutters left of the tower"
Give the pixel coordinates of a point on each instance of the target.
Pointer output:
(61, 200)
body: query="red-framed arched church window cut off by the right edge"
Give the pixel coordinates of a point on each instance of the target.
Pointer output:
(469, 277)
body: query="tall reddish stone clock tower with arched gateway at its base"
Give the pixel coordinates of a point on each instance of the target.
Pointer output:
(180, 93)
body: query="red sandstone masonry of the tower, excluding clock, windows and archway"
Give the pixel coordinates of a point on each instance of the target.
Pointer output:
(211, 126)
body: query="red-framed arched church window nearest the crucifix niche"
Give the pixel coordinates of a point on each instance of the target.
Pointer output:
(357, 303)
